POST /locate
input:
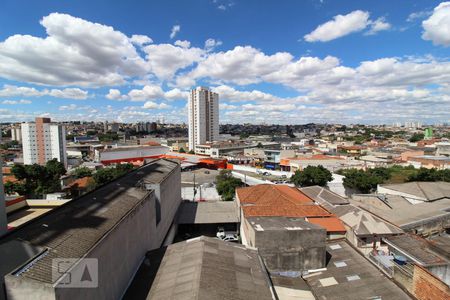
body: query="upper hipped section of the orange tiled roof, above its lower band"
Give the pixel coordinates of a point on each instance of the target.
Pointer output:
(271, 194)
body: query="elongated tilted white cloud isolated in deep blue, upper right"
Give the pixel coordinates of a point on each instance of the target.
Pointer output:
(340, 26)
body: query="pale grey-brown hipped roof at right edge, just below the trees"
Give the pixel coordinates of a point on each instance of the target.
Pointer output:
(429, 191)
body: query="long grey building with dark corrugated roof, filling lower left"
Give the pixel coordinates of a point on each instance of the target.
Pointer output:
(116, 225)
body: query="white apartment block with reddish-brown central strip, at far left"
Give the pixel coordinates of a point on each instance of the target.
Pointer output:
(43, 141)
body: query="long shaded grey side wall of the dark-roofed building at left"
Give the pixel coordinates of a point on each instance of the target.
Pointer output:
(119, 254)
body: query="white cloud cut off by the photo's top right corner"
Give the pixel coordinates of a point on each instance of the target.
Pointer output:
(437, 26)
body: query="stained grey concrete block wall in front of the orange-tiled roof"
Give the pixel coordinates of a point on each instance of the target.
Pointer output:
(292, 250)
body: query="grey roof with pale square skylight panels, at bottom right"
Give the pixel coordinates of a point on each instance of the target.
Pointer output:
(350, 276)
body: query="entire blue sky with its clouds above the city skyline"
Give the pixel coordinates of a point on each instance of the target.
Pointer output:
(287, 62)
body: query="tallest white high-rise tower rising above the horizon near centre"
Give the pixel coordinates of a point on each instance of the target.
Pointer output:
(203, 116)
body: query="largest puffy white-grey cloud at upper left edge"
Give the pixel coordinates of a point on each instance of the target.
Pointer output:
(74, 52)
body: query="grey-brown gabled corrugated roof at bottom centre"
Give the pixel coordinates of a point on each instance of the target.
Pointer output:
(207, 268)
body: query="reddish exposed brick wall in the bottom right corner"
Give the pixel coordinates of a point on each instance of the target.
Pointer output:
(428, 287)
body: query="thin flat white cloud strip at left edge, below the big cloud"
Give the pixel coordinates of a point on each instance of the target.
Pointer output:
(67, 93)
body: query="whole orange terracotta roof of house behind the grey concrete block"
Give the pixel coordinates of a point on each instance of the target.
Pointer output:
(269, 200)
